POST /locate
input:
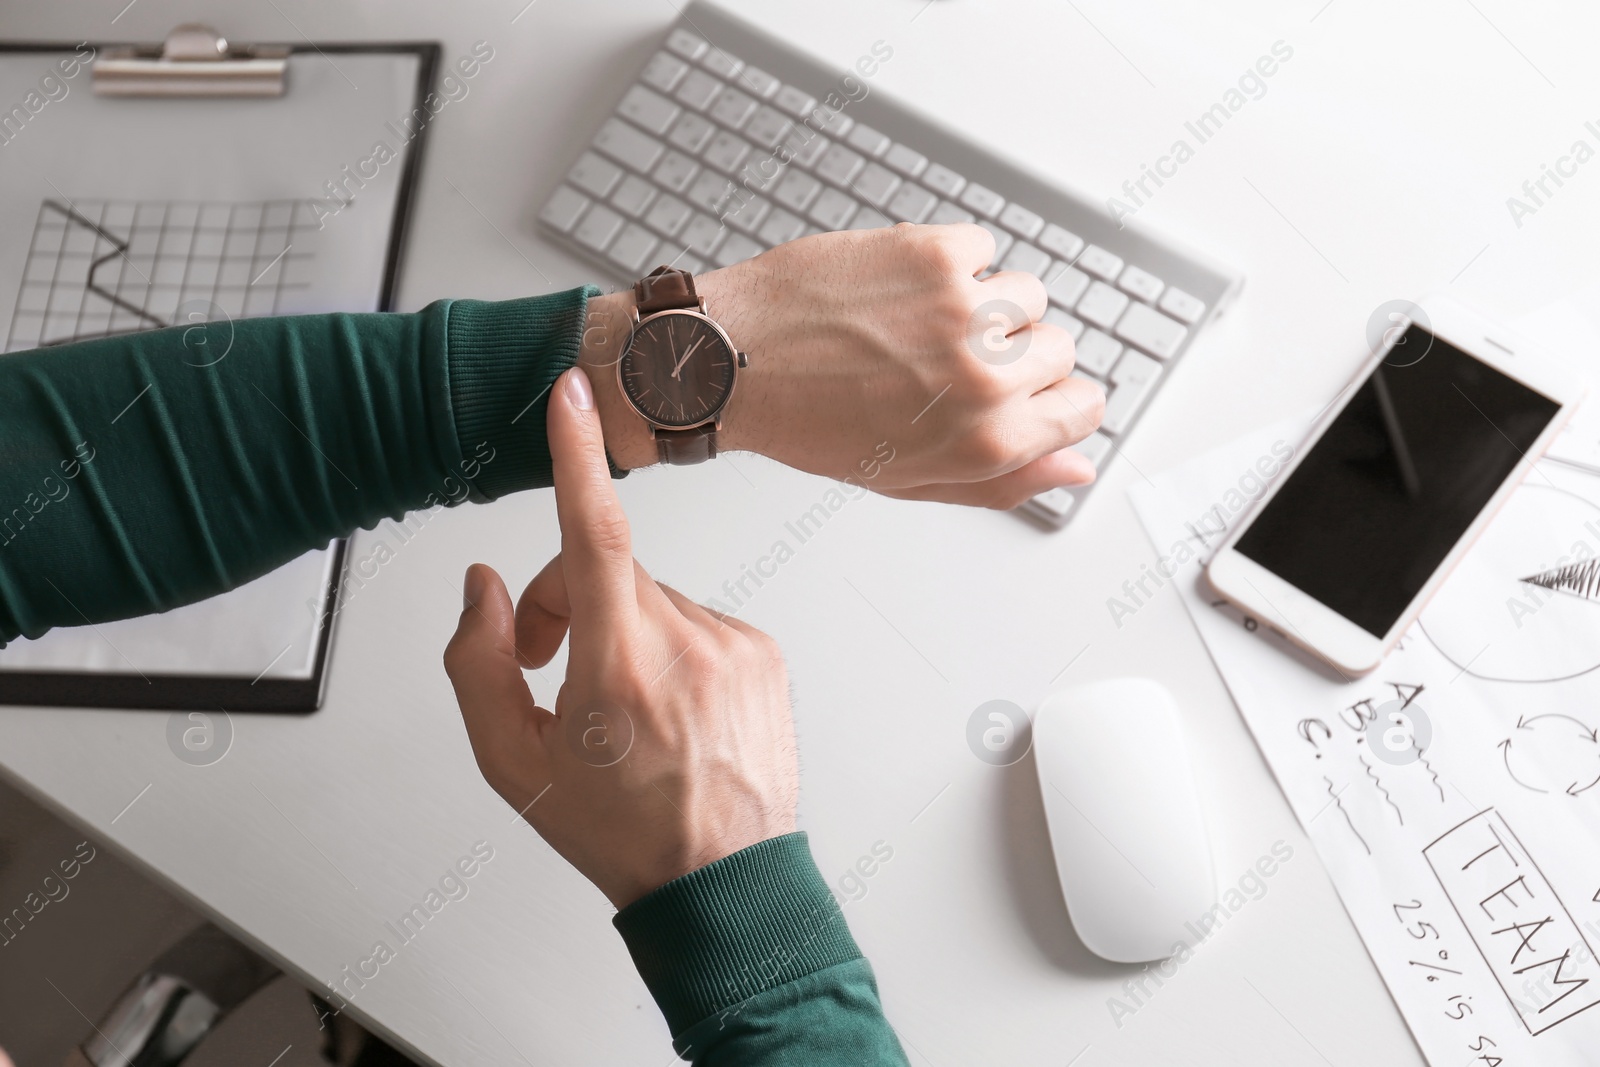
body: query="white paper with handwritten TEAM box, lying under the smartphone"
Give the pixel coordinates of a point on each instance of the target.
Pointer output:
(1455, 793)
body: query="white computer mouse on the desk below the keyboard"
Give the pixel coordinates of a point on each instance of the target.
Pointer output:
(1132, 850)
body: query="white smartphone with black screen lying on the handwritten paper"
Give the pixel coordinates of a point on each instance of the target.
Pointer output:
(1396, 484)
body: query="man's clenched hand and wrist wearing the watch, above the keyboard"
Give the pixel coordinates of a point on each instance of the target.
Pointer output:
(884, 343)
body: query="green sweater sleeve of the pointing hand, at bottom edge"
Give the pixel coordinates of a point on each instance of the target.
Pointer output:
(751, 962)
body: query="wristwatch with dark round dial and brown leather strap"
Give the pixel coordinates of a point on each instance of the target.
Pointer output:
(679, 367)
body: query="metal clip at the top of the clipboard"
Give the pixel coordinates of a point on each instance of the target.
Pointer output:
(194, 62)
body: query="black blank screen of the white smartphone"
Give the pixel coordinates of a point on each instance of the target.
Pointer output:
(1393, 486)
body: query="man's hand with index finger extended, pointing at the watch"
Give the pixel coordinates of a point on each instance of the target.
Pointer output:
(671, 745)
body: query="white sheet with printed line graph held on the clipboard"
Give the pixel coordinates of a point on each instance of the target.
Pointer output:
(126, 215)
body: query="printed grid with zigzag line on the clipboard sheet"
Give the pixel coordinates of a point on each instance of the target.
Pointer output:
(103, 268)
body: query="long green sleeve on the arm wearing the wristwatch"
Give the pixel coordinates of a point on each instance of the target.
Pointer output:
(150, 471)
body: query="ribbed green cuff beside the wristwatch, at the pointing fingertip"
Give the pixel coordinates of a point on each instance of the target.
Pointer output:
(503, 359)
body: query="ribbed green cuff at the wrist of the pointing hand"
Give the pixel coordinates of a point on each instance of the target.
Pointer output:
(735, 929)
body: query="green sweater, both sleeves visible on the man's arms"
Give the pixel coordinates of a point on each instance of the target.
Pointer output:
(156, 470)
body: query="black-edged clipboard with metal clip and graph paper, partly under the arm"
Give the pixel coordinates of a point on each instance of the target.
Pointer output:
(129, 239)
